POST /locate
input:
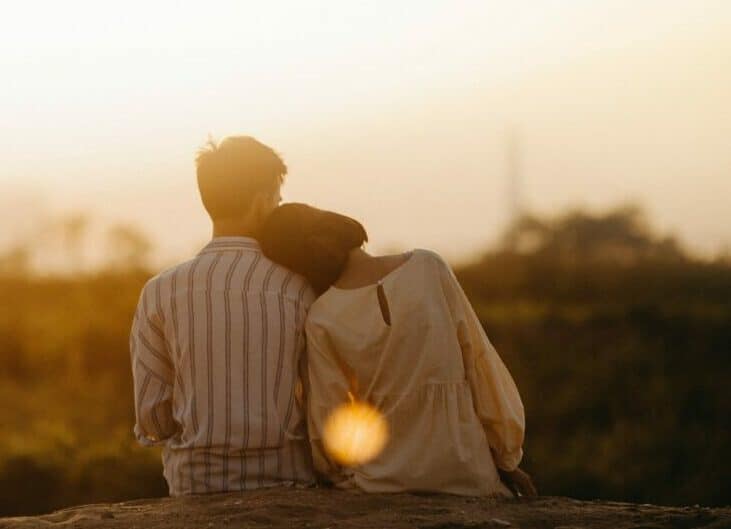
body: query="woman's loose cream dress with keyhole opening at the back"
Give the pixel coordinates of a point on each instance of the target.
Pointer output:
(453, 410)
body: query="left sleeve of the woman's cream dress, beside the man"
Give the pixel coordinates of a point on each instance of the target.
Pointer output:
(327, 389)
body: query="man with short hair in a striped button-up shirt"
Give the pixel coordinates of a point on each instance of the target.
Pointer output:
(216, 342)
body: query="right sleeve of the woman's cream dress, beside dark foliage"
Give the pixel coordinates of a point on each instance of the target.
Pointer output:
(495, 395)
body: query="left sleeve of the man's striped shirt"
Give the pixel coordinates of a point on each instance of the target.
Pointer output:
(152, 372)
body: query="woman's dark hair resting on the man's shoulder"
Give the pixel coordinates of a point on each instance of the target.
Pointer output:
(311, 242)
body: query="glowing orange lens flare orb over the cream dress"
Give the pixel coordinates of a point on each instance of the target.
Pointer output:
(355, 433)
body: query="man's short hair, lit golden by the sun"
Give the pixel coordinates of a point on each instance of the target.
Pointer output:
(231, 173)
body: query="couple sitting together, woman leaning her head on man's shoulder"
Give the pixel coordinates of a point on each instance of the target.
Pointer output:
(240, 355)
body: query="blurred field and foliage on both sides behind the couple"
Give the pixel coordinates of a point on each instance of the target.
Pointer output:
(618, 339)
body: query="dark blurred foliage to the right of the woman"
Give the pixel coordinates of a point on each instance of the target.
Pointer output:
(611, 333)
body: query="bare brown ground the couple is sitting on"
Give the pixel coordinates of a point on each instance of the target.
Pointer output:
(326, 508)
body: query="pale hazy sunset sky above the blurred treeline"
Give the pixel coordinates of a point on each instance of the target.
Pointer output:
(393, 112)
